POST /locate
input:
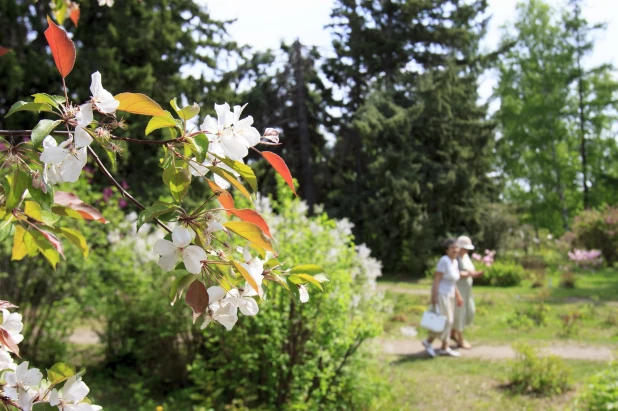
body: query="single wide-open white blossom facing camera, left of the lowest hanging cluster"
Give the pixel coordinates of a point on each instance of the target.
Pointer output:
(179, 247)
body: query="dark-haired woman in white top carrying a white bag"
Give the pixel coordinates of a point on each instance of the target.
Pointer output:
(444, 296)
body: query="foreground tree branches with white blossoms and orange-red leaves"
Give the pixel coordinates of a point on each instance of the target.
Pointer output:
(216, 278)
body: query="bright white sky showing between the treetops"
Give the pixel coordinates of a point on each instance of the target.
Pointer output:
(264, 23)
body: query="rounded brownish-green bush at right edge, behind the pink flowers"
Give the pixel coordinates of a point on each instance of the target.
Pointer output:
(598, 229)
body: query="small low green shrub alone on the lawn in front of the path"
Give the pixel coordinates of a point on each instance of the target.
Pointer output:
(534, 374)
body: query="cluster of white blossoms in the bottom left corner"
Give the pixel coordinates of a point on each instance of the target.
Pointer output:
(21, 387)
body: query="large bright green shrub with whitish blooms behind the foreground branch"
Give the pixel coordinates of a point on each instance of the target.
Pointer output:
(307, 356)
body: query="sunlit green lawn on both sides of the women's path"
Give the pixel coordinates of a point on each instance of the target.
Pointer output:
(475, 384)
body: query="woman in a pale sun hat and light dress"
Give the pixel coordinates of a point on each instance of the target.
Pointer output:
(464, 314)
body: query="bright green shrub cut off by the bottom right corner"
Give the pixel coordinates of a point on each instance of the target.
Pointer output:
(601, 392)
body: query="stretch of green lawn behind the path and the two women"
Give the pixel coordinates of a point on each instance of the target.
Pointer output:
(595, 299)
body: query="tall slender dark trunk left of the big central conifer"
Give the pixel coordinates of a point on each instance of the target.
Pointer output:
(308, 187)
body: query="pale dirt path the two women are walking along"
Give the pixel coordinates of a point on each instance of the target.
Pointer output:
(494, 352)
